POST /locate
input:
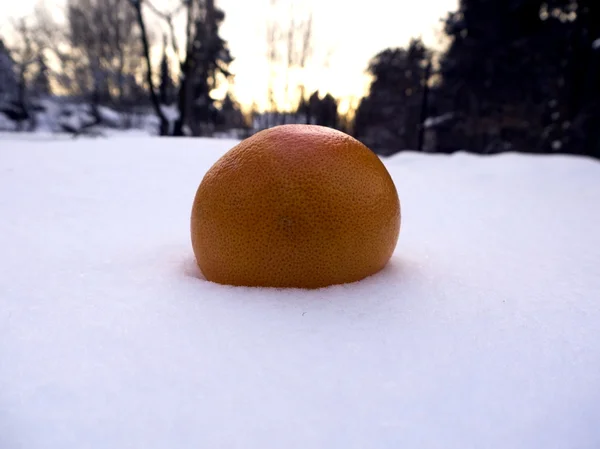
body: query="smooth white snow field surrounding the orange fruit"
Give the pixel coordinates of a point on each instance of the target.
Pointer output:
(482, 332)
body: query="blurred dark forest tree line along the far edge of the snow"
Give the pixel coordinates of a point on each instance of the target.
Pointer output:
(514, 75)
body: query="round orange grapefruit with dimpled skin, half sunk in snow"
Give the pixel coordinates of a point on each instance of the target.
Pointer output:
(295, 206)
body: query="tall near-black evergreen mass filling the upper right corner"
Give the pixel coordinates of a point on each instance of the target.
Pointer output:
(522, 75)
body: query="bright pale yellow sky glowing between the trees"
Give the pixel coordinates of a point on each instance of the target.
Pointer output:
(345, 36)
